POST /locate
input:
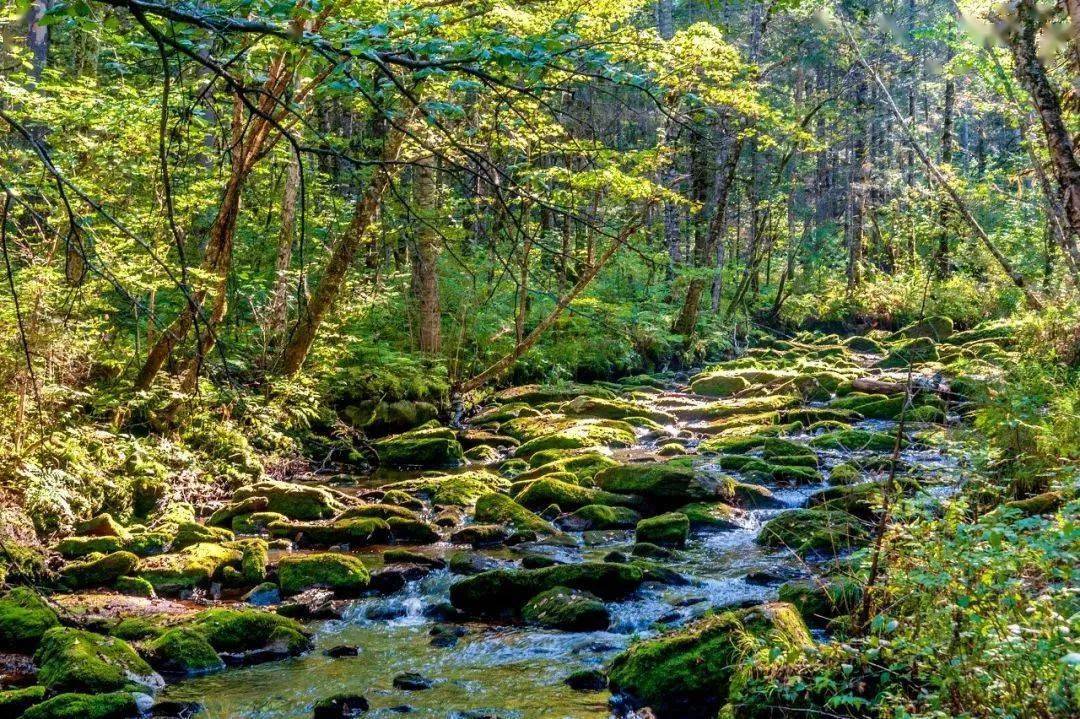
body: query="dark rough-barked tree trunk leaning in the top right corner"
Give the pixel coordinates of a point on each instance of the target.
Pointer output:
(1021, 34)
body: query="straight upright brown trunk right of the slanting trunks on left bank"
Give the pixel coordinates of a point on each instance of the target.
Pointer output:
(426, 262)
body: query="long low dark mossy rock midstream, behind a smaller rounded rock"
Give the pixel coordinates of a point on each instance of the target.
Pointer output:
(504, 591)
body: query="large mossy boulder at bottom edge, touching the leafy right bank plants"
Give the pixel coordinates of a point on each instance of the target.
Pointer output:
(688, 673)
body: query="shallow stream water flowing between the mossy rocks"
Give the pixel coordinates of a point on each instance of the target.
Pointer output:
(511, 672)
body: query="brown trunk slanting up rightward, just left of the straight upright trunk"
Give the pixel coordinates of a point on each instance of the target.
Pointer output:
(343, 252)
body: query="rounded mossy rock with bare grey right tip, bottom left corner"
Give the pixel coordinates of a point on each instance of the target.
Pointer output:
(78, 661)
